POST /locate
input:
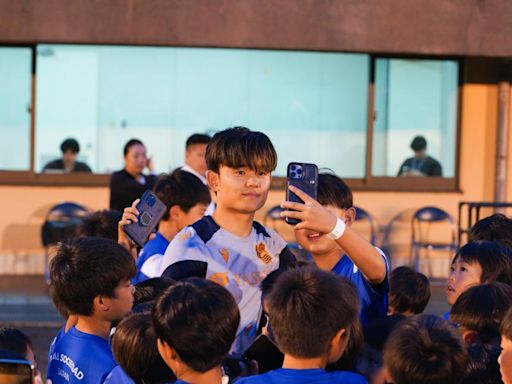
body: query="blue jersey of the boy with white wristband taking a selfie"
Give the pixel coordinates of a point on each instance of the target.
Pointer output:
(373, 298)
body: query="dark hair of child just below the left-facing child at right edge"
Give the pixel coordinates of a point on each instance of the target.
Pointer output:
(482, 308)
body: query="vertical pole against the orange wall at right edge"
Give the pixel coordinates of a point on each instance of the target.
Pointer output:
(500, 190)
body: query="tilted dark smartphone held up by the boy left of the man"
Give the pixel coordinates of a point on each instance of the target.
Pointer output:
(151, 209)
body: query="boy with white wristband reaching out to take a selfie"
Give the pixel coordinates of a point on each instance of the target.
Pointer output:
(324, 231)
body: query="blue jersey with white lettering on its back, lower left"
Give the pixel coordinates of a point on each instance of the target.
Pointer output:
(80, 357)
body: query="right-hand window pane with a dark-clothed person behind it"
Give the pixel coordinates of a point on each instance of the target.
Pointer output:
(415, 117)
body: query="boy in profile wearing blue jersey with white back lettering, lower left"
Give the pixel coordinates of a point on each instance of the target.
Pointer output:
(91, 278)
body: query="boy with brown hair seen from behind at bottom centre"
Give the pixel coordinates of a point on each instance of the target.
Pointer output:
(310, 312)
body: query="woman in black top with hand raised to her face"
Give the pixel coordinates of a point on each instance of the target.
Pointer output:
(129, 184)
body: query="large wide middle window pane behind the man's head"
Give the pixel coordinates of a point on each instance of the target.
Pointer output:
(312, 105)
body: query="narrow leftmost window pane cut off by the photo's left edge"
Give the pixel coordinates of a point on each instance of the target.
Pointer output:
(15, 101)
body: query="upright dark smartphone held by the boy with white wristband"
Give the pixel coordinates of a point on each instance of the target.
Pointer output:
(303, 176)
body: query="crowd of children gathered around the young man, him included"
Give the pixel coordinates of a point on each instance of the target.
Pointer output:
(221, 298)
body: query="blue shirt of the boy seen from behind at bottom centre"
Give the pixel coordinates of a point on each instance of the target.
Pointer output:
(303, 376)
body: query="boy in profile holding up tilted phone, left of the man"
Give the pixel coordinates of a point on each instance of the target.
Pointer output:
(186, 199)
